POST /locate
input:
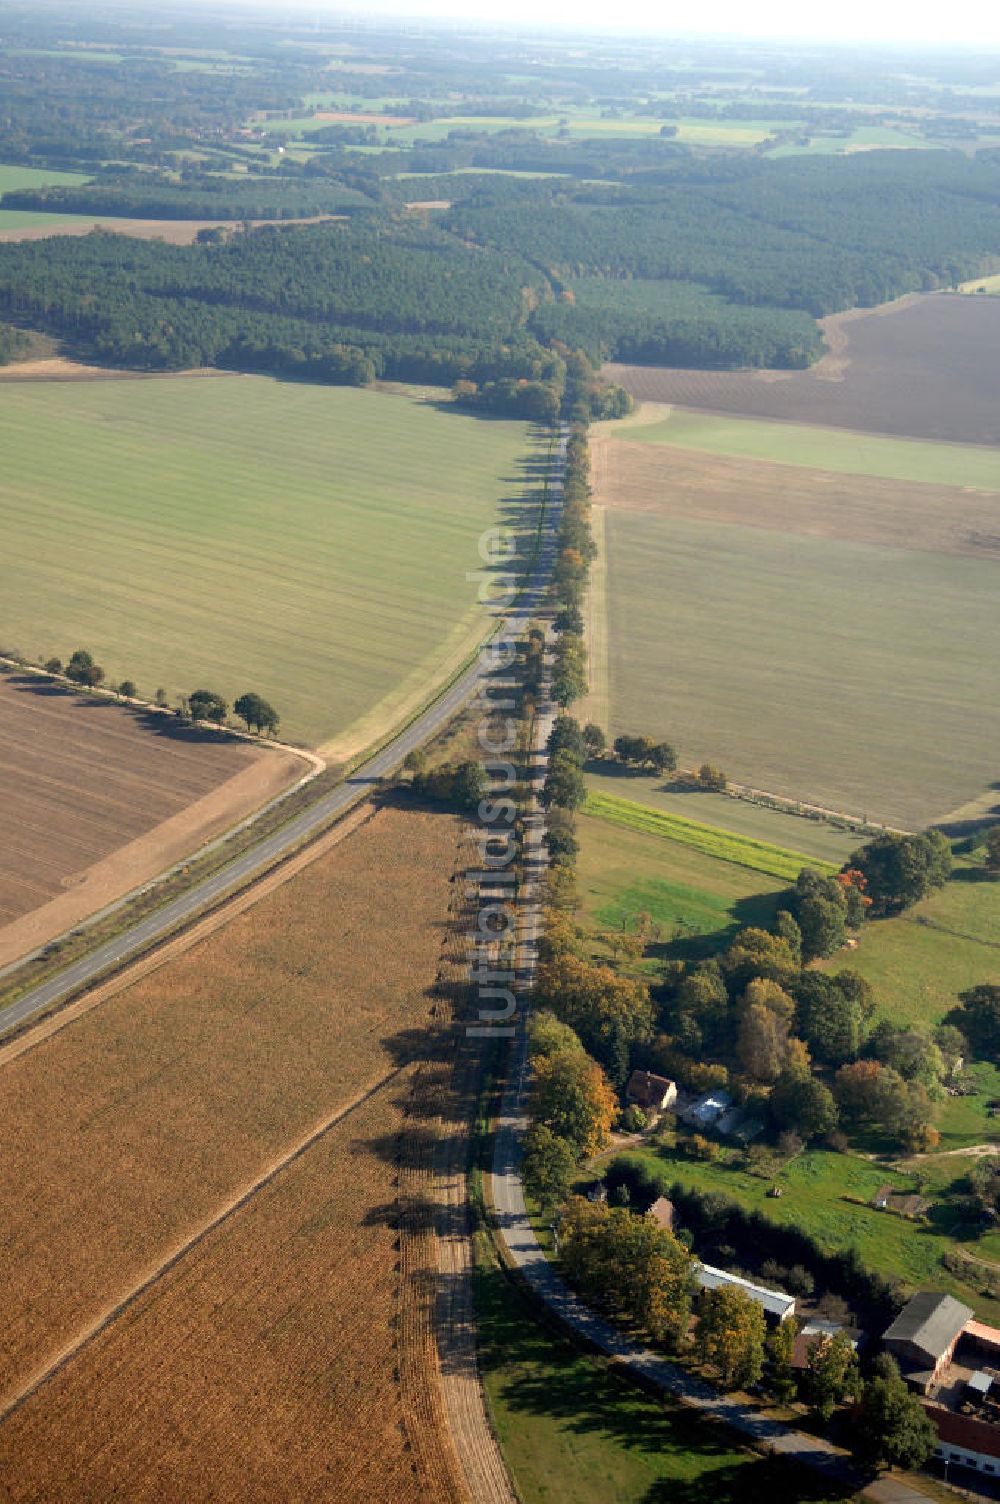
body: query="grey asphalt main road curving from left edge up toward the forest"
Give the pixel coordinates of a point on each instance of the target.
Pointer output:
(312, 822)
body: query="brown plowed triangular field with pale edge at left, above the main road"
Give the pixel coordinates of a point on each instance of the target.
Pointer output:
(97, 799)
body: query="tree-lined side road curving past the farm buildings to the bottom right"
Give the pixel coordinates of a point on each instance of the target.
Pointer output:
(526, 1254)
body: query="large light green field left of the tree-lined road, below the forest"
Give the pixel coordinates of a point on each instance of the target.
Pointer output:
(309, 542)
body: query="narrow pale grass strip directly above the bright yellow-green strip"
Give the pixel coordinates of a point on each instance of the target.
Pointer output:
(817, 840)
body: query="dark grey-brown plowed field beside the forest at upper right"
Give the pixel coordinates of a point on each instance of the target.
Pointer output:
(926, 368)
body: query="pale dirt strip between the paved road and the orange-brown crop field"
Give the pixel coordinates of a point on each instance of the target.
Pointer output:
(177, 945)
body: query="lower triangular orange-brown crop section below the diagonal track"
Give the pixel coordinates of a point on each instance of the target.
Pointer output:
(262, 1366)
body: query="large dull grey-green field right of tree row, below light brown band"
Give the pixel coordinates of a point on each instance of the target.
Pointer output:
(846, 675)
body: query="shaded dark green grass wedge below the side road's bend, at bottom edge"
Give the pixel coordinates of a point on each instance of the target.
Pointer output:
(574, 1434)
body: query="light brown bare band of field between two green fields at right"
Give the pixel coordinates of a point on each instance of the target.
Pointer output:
(790, 499)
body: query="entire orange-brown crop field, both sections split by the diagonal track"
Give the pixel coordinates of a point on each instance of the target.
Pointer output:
(262, 1363)
